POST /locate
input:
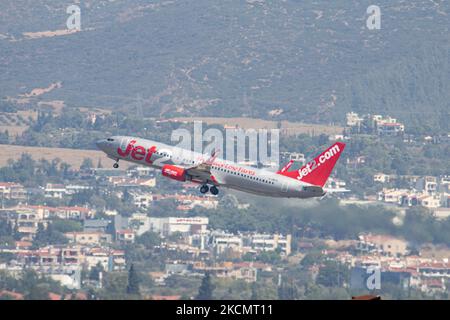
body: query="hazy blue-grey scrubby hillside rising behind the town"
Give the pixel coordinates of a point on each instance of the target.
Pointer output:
(303, 61)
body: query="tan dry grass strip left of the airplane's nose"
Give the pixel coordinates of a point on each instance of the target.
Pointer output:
(74, 157)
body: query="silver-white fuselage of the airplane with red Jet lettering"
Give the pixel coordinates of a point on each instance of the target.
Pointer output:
(223, 173)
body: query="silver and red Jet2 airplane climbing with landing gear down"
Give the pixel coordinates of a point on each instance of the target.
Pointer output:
(211, 172)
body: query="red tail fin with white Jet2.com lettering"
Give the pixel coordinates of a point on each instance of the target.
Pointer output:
(317, 171)
